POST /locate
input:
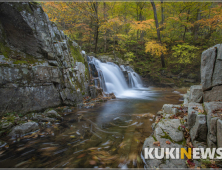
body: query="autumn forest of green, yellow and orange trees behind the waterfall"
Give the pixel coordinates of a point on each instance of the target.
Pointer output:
(167, 33)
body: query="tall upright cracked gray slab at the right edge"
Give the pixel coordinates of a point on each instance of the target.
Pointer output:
(211, 77)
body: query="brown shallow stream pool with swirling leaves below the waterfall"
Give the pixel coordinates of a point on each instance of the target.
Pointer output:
(109, 135)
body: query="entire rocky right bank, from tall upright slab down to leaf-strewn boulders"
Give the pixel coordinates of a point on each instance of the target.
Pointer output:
(195, 124)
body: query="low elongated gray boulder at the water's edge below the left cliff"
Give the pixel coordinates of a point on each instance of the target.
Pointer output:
(23, 129)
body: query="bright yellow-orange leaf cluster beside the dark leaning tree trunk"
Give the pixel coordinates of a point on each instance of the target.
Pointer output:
(155, 48)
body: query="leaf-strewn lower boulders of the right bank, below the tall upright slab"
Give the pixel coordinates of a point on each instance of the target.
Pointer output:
(186, 126)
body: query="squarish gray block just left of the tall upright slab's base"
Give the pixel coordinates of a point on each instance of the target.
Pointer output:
(196, 94)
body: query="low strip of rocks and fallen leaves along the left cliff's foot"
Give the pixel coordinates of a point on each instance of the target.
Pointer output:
(18, 125)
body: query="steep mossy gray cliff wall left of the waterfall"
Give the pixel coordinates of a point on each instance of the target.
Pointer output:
(39, 66)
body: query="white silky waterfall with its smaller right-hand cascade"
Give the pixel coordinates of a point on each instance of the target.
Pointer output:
(112, 79)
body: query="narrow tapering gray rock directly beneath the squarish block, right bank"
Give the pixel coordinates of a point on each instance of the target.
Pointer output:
(192, 113)
